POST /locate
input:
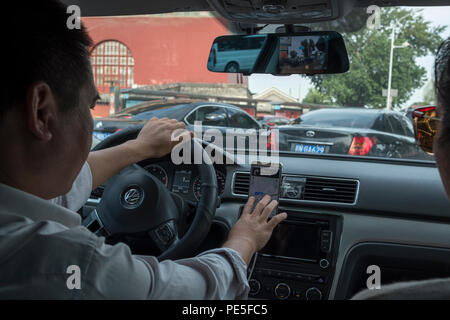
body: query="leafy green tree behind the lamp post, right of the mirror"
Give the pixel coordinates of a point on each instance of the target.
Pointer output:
(369, 50)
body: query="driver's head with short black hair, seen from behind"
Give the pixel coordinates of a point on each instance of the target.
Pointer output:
(47, 90)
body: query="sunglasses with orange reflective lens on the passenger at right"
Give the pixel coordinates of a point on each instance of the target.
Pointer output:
(425, 121)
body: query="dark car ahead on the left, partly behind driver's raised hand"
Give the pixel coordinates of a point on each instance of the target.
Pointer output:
(212, 115)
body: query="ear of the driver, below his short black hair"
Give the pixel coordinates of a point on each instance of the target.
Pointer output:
(40, 110)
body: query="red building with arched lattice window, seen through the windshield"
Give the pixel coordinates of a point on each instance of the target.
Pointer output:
(136, 51)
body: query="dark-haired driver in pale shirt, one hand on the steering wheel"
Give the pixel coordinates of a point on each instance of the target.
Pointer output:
(45, 138)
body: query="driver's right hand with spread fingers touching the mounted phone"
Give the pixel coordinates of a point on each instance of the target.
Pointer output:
(253, 229)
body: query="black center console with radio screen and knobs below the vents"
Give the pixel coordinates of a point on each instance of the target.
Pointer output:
(299, 260)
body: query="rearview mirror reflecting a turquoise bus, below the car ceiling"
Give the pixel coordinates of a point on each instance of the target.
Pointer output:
(280, 54)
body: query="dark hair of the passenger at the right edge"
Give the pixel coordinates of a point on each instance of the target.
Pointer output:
(442, 87)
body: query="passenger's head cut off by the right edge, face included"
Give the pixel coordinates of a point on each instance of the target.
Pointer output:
(441, 146)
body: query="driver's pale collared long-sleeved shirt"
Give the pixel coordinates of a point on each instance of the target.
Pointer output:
(43, 245)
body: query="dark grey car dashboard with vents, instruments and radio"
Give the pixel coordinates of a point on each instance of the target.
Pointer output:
(397, 217)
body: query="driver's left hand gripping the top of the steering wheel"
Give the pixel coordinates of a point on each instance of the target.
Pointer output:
(155, 138)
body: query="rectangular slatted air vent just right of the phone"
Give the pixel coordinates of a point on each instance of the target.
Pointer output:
(330, 190)
